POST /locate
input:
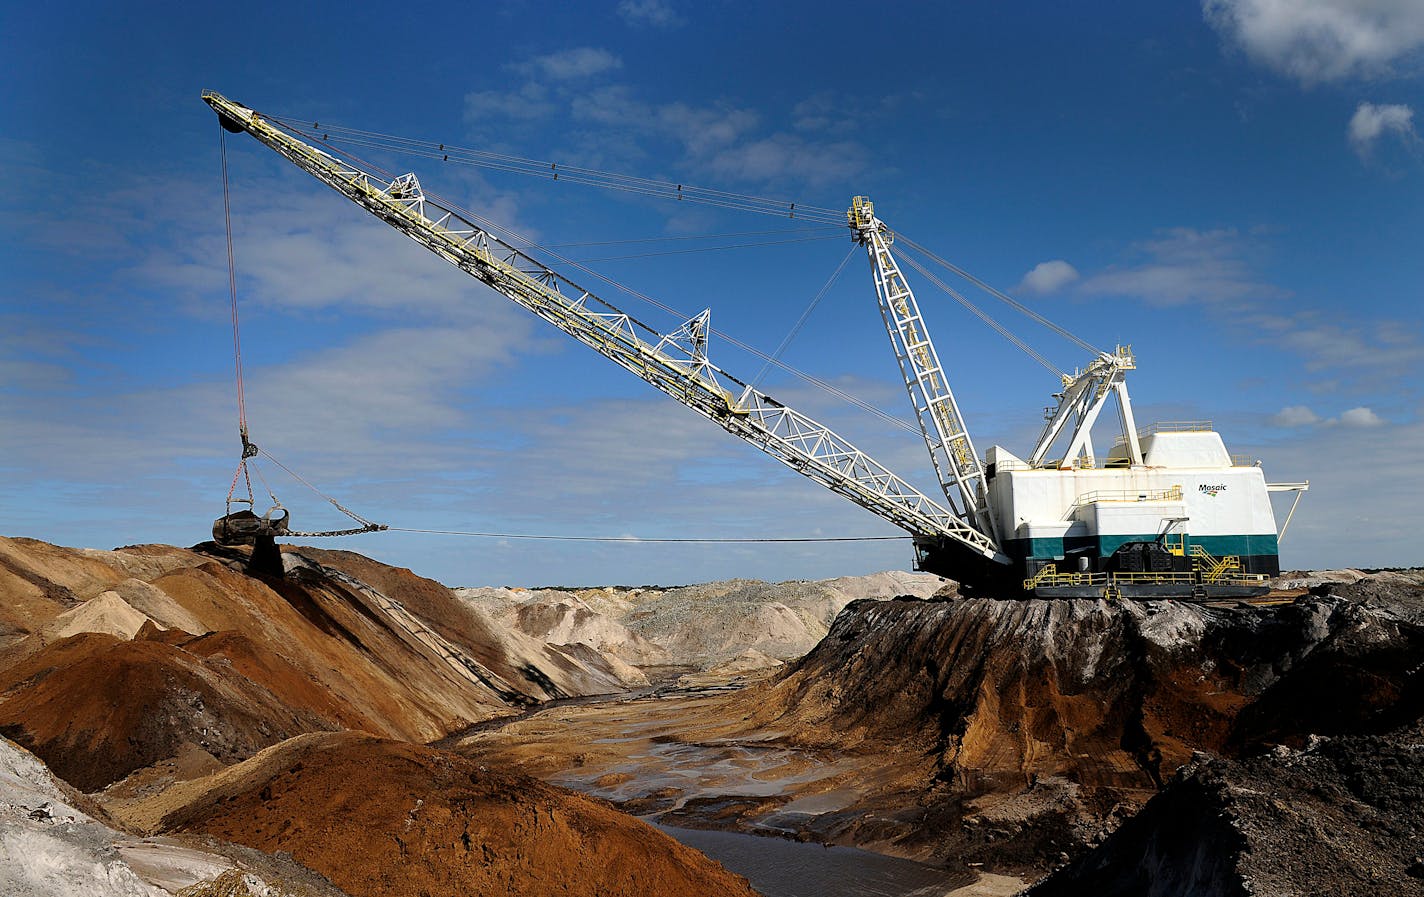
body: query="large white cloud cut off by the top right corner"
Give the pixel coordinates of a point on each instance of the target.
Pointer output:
(1322, 41)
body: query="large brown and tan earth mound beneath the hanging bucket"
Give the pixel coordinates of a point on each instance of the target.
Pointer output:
(247, 661)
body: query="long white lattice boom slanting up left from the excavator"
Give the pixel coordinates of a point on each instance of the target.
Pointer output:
(677, 364)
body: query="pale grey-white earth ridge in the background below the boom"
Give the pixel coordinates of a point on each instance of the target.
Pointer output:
(696, 626)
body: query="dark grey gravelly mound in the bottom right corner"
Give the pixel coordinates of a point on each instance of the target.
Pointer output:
(1341, 818)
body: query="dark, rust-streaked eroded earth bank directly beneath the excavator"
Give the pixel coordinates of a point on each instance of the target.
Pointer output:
(1035, 725)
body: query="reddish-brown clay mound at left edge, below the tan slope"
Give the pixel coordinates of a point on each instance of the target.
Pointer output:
(96, 708)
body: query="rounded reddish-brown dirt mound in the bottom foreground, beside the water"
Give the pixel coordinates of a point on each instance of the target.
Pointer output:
(381, 818)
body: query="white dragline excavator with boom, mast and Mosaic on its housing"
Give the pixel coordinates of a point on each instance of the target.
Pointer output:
(1166, 513)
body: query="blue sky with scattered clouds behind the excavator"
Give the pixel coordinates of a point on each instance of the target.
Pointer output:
(1235, 189)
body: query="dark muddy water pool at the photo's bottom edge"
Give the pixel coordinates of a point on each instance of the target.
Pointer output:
(778, 868)
